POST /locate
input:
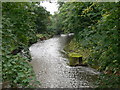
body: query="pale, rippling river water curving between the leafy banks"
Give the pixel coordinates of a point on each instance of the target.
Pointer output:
(51, 69)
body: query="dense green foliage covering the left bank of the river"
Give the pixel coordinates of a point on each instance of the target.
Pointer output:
(18, 33)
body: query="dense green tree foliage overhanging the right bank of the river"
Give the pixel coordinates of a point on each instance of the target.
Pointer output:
(96, 28)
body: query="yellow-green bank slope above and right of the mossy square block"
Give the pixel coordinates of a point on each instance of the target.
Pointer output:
(75, 47)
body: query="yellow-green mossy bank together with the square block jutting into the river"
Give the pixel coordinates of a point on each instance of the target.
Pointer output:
(74, 52)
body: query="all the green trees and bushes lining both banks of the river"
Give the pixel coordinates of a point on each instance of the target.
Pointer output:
(96, 38)
